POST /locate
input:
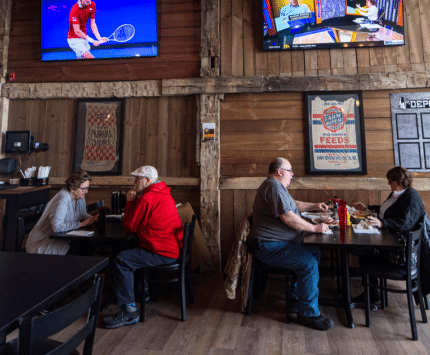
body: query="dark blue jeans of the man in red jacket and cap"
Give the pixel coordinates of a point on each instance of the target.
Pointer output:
(126, 263)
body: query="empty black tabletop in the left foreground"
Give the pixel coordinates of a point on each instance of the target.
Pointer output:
(30, 283)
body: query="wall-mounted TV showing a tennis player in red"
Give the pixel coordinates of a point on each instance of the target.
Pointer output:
(85, 29)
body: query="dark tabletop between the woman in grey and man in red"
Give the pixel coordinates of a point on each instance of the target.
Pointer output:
(113, 233)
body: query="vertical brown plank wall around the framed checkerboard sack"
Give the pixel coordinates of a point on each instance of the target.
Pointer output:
(158, 131)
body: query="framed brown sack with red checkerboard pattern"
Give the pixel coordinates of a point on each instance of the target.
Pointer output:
(99, 136)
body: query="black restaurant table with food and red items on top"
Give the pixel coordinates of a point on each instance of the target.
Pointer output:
(346, 240)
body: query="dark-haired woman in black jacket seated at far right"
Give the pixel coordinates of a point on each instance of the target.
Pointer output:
(400, 212)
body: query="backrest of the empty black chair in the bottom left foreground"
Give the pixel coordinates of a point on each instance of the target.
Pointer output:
(34, 331)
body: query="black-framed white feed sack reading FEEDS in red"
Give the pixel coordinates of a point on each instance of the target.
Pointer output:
(335, 133)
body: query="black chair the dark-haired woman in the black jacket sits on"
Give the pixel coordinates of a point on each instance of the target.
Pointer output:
(410, 273)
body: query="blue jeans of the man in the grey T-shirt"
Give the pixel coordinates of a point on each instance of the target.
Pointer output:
(301, 259)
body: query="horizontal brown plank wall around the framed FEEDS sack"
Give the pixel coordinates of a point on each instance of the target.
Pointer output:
(255, 128)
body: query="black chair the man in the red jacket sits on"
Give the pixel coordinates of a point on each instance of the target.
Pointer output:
(182, 266)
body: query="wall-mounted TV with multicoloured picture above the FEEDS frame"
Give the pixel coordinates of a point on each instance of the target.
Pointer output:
(303, 24)
